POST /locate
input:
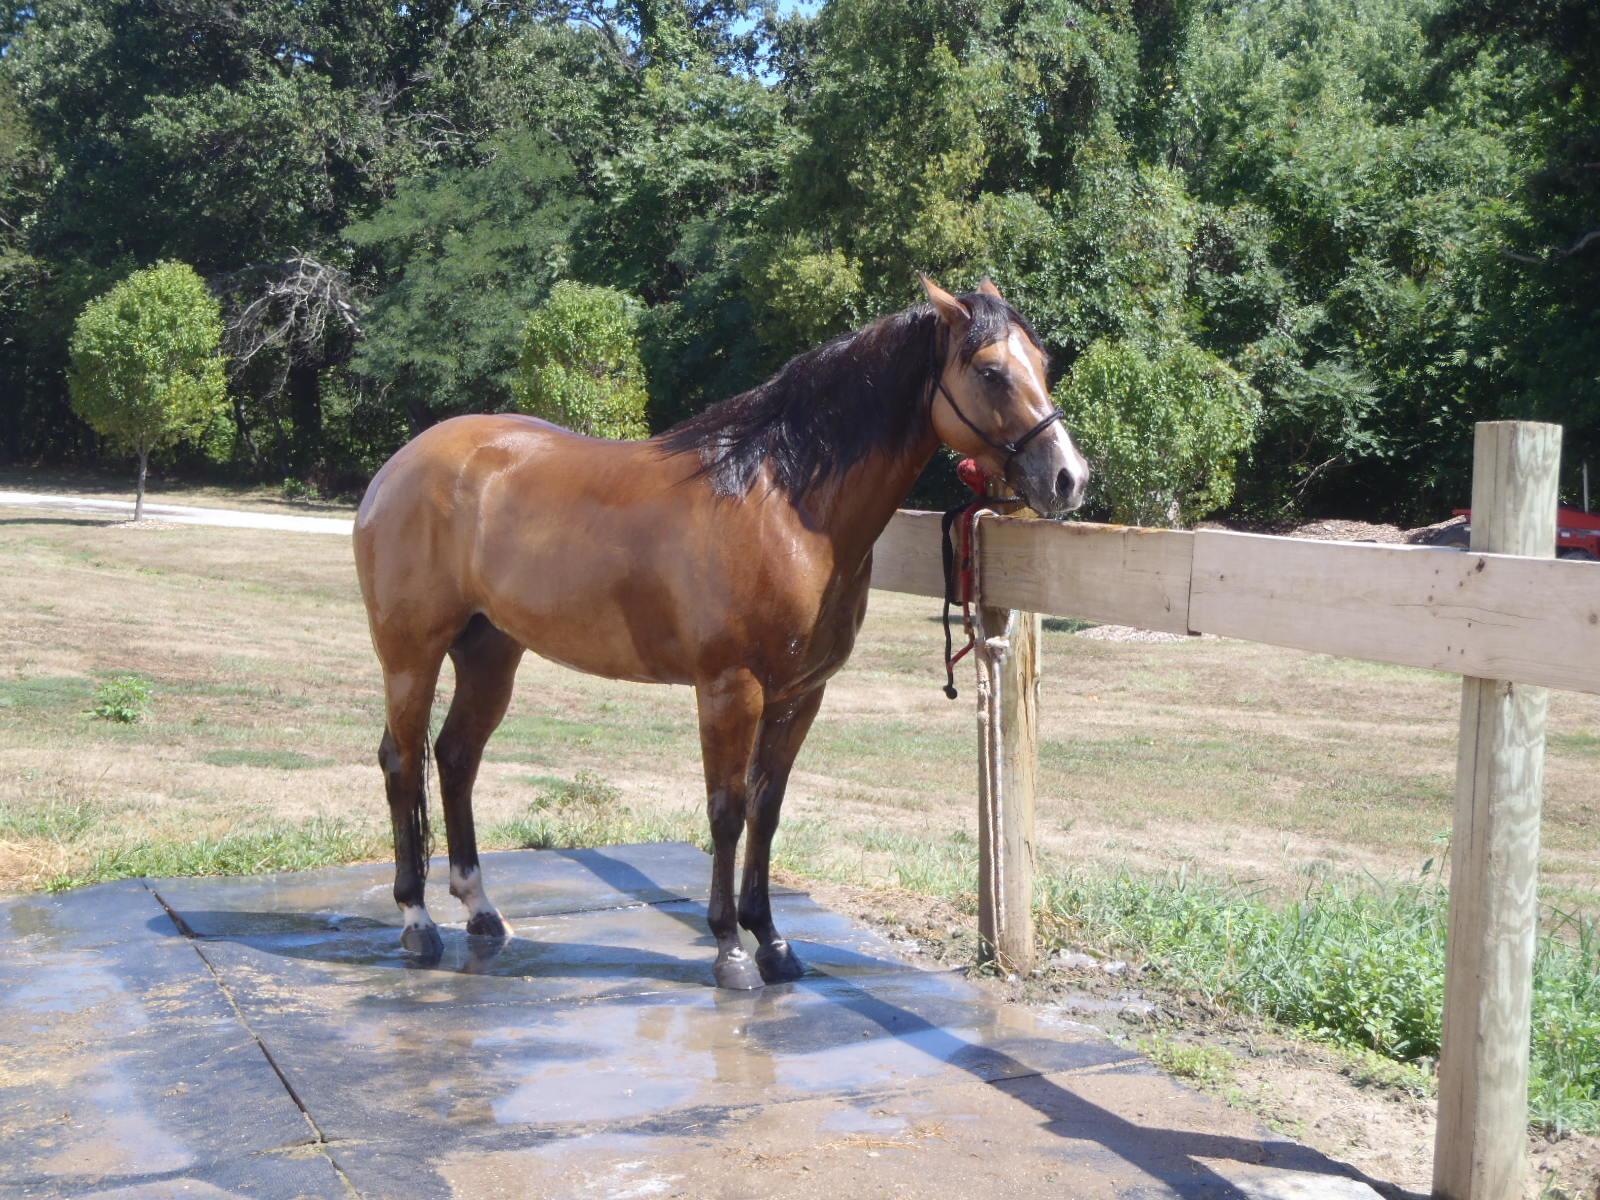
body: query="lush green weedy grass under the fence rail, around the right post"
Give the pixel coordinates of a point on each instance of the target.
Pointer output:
(1354, 967)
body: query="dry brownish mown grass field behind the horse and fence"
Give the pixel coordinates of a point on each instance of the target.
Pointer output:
(1234, 759)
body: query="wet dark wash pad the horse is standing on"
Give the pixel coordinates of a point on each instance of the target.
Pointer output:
(266, 1038)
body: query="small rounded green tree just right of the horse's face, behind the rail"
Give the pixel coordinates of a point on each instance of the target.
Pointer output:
(1166, 434)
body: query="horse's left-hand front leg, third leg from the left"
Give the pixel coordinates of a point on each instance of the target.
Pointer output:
(730, 714)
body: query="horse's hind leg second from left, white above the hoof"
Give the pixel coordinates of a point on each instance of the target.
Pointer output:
(486, 671)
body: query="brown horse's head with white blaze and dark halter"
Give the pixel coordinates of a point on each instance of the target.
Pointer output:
(991, 401)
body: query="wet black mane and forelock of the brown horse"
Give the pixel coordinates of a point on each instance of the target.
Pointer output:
(830, 409)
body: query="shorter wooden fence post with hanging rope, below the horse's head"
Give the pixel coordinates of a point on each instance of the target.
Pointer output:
(1007, 655)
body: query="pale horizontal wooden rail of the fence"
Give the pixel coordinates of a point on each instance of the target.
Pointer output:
(1465, 612)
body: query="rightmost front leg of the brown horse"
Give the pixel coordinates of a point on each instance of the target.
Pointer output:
(783, 732)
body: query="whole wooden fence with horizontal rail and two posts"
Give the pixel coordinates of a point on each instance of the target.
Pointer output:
(1505, 615)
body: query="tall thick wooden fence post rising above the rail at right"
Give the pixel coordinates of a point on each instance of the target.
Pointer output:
(1479, 1153)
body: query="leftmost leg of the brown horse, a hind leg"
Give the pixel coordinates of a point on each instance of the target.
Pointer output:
(409, 694)
